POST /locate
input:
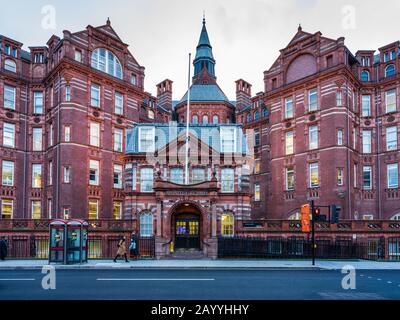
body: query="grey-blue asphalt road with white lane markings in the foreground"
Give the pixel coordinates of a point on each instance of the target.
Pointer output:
(199, 285)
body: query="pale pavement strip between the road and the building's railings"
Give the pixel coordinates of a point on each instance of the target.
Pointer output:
(208, 264)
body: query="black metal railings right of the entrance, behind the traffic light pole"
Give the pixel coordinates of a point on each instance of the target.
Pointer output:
(291, 248)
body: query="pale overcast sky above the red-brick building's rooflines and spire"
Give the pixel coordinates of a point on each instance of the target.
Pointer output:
(246, 35)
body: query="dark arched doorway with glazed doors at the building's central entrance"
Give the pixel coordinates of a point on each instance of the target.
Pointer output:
(186, 227)
